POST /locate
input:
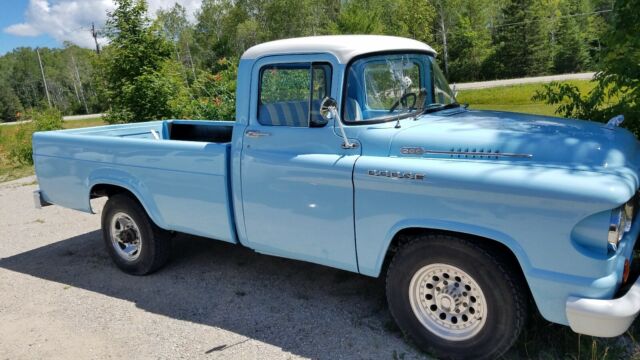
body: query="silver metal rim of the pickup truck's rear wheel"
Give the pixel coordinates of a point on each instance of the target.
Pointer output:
(125, 236)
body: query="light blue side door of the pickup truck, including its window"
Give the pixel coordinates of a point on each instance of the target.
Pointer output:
(297, 185)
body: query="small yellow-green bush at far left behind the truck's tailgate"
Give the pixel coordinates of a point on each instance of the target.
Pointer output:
(20, 150)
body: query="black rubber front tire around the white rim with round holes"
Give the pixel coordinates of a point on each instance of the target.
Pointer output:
(504, 307)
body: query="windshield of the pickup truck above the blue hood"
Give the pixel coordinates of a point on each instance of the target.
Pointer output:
(393, 86)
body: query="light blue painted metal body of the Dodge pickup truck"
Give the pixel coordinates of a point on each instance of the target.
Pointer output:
(298, 194)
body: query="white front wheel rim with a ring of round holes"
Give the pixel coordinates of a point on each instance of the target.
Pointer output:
(448, 302)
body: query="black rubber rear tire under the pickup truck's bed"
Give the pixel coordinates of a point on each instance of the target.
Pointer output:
(154, 242)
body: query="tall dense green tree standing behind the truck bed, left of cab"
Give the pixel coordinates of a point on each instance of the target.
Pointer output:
(137, 81)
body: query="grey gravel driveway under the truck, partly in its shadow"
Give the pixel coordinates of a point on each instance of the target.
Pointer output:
(61, 297)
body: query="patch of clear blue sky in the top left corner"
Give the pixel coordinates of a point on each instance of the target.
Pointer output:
(13, 12)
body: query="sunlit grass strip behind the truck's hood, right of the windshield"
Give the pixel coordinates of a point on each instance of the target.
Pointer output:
(514, 98)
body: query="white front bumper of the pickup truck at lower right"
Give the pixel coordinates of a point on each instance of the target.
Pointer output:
(604, 318)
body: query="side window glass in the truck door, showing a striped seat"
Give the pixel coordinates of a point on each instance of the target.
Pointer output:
(290, 94)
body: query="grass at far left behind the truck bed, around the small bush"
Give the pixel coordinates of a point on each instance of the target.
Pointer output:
(8, 169)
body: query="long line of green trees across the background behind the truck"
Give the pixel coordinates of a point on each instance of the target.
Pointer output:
(182, 66)
